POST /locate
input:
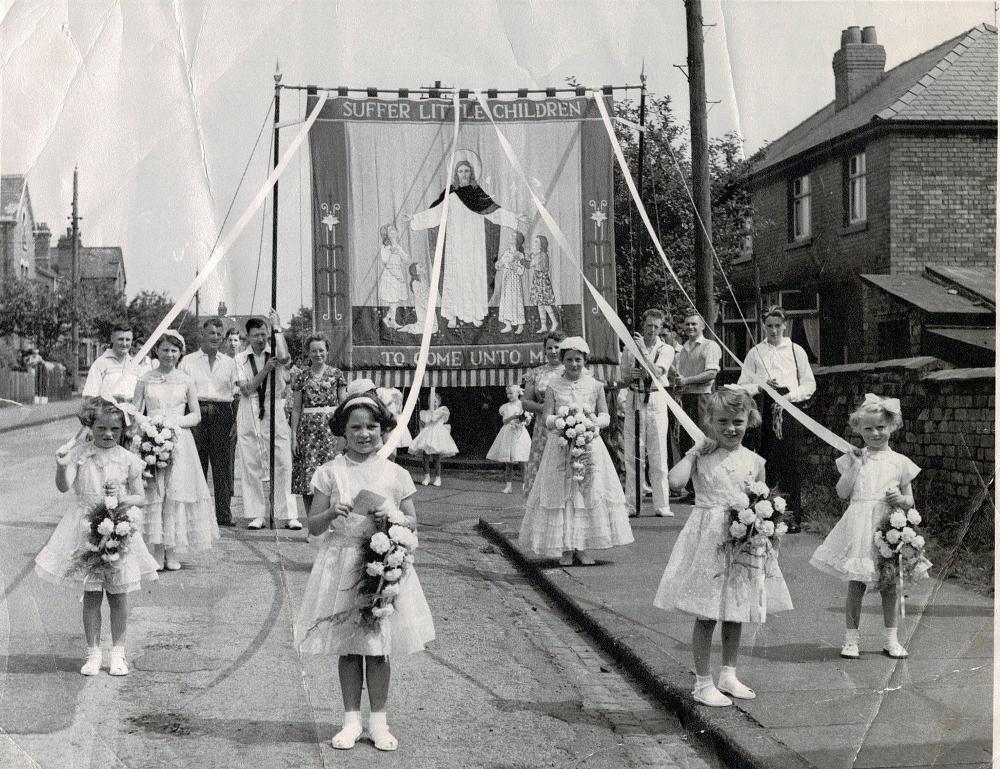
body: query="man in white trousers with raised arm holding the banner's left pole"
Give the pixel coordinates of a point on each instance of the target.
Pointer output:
(253, 425)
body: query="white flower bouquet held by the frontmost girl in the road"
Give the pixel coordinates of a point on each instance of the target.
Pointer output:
(387, 556)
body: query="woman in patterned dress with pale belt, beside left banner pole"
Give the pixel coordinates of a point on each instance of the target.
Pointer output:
(317, 391)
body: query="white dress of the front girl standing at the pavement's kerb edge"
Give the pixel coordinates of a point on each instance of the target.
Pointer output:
(700, 578)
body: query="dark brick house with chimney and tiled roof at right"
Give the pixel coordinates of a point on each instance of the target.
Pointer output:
(896, 174)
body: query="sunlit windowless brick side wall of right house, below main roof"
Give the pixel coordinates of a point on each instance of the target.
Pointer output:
(943, 206)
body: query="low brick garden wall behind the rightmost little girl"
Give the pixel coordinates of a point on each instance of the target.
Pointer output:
(948, 430)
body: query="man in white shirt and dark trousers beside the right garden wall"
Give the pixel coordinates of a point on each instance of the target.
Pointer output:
(785, 367)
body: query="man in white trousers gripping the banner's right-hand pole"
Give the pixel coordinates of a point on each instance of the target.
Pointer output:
(648, 406)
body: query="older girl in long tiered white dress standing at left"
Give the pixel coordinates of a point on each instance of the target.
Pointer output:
(179, 514)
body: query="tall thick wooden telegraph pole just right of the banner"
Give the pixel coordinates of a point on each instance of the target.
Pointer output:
(701, 182)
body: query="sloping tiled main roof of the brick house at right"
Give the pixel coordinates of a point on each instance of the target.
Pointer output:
(954, 81)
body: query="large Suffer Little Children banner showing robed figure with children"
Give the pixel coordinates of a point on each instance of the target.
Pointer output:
(378, 169)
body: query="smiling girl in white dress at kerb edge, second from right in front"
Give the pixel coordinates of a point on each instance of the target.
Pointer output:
(698, 579)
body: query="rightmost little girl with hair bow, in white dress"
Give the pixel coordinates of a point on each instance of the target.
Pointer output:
(875, 479)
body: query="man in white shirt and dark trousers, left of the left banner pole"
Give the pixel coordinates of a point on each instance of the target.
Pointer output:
(214, 375)
